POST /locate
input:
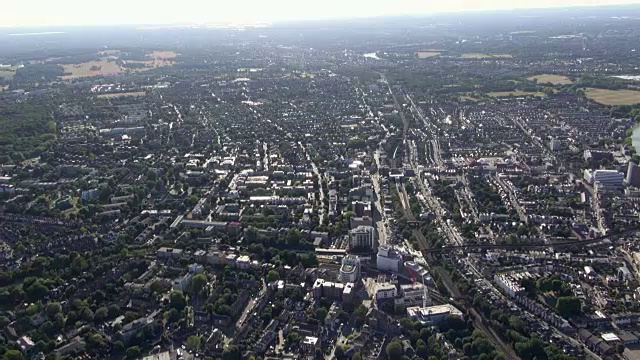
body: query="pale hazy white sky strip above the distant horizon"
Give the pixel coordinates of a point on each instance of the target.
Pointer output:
(83, 12)
